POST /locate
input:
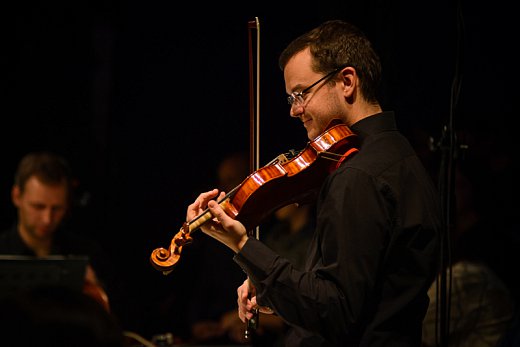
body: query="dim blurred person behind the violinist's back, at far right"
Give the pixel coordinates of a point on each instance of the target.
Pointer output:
(481, 305)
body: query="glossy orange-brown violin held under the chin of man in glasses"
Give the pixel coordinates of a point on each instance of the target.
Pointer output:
(293, 177)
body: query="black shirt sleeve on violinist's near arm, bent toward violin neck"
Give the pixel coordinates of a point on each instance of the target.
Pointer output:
(344, 258)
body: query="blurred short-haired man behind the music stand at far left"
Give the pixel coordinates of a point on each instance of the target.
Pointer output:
(41, 193)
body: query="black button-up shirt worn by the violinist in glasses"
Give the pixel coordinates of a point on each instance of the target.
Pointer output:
(373, 255)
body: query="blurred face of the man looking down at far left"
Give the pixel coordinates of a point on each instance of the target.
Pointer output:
(41, 208)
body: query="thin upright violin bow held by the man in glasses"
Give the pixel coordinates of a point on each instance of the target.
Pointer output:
(254, 133)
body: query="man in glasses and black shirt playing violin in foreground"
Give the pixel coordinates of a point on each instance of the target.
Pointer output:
(374, 250)
